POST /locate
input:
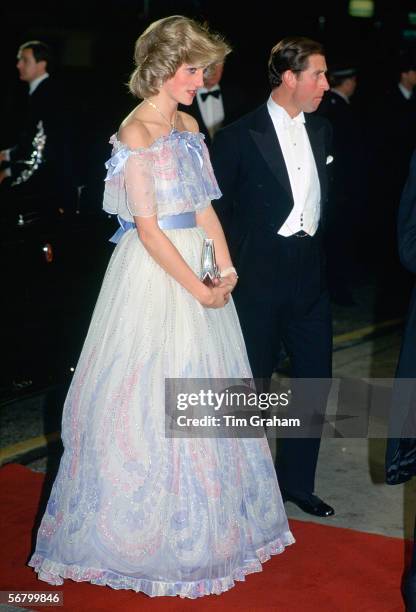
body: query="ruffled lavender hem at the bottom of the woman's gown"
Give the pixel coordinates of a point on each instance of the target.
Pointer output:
(55, 573)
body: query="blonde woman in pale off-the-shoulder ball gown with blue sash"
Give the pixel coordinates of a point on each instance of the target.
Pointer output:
(131, 508)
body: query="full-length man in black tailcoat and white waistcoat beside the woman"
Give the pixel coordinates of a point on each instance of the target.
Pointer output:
(271, 167)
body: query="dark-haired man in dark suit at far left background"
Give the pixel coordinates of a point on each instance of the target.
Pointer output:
(37, 171)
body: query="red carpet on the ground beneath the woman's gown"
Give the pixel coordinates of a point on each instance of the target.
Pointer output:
(327, 570)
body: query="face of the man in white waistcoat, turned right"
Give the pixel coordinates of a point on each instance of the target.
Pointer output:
(311, 85)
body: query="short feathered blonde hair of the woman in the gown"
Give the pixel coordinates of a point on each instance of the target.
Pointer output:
(167, 44)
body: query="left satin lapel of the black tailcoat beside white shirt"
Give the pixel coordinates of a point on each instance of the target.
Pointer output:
(264, 136)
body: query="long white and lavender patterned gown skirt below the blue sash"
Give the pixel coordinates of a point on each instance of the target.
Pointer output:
(131, 508)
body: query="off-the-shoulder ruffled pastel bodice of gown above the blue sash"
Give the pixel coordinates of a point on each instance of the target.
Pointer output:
(174, 175)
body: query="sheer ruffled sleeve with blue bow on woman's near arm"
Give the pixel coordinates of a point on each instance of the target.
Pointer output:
(129, 185)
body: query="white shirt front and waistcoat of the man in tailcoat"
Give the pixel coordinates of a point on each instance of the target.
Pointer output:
(301, 168)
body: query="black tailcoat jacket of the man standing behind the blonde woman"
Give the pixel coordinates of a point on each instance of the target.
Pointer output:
(252, 175)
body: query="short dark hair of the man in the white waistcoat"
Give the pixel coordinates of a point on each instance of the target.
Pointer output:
(291, 53)
